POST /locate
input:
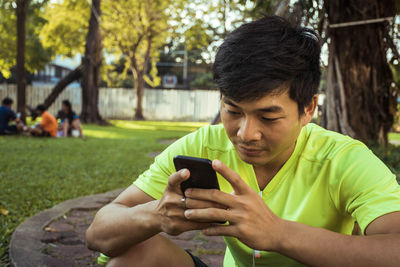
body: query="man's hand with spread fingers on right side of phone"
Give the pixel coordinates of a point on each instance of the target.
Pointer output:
(250, 220)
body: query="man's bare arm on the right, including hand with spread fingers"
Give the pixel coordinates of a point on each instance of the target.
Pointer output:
(253, 223)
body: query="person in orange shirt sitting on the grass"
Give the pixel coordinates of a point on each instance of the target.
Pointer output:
(48, 124)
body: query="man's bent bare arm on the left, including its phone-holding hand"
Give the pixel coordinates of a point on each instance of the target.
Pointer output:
(134, 217)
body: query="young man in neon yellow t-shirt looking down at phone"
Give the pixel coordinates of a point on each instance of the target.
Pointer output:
(290, 190)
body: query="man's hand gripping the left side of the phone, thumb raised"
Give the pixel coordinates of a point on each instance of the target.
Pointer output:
(171, 210)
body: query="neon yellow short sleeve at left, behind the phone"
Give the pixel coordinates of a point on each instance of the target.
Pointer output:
(154, 180)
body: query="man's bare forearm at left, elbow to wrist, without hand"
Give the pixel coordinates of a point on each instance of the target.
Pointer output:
(116, 228)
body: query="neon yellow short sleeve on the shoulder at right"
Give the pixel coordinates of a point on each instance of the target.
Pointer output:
(366, 188)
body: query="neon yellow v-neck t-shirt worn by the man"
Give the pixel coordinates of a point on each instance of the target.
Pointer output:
(329, 181)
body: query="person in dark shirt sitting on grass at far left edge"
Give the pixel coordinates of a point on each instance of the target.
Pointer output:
(7, 115)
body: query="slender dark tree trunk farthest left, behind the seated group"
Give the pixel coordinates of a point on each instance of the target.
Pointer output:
(22, 8)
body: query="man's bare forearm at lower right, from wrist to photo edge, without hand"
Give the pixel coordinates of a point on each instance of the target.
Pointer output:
(320, 247)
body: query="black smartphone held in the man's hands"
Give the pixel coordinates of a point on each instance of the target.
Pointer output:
(202, 175)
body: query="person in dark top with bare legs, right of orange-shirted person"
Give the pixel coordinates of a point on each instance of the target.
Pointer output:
(69, 120)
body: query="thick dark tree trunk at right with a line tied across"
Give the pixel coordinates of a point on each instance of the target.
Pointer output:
(360, 100)
